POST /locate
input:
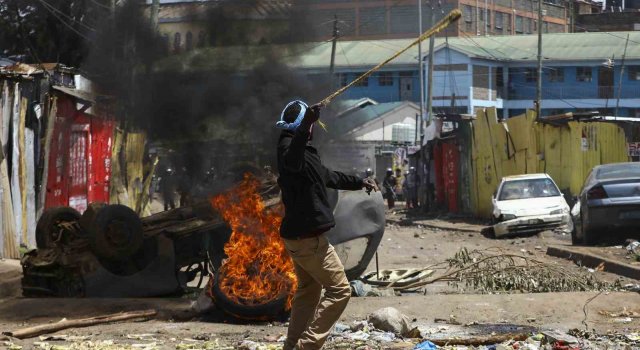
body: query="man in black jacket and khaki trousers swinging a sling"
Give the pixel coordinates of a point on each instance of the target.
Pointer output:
(308, 215)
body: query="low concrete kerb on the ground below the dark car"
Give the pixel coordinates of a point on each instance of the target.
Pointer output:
(593, 260)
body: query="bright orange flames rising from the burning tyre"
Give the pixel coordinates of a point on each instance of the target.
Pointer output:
(259, 268)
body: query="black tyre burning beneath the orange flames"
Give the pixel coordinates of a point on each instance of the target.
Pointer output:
(269, 311)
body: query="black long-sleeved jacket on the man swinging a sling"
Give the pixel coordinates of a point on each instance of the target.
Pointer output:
(304, 181)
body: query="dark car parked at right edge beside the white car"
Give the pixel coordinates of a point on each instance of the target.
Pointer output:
(608, 203)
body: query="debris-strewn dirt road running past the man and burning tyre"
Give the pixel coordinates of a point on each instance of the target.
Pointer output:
(410, 245)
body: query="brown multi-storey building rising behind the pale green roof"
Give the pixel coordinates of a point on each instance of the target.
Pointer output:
(386, 19)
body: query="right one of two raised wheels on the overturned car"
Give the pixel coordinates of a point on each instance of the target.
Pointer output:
(115, 233)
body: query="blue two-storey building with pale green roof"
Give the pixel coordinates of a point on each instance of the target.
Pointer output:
(581, 72)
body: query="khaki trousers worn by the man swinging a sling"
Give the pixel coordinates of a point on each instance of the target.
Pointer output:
(317, 267)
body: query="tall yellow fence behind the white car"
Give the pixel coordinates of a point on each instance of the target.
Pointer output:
(522, 146)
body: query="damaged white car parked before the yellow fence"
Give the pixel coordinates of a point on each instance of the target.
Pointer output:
(529, 203)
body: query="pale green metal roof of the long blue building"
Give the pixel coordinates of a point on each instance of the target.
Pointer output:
(364, 54)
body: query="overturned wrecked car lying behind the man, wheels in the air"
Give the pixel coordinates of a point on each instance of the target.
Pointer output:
(109, 251)
